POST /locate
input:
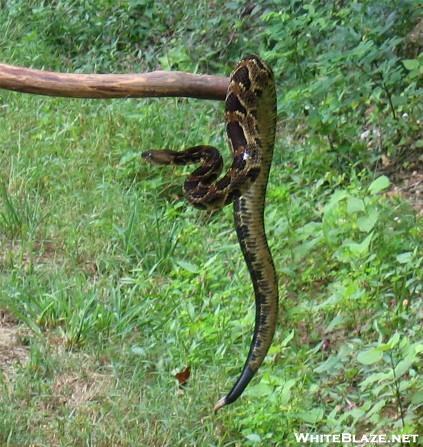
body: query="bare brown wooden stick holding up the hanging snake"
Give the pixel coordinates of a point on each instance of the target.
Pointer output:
(145, 85)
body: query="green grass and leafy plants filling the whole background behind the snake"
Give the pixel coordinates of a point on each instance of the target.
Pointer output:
(119, 284)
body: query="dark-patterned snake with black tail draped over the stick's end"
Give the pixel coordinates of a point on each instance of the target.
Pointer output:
(250, 119)
